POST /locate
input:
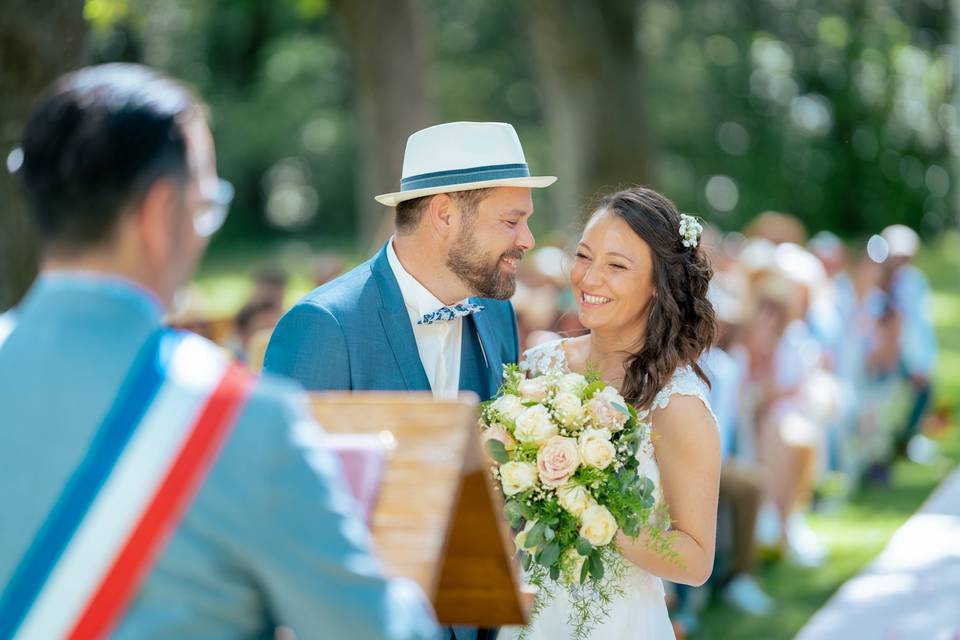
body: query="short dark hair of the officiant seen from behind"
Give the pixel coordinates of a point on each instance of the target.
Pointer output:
(95, 142)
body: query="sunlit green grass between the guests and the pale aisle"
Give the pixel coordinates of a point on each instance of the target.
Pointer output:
(857, 532)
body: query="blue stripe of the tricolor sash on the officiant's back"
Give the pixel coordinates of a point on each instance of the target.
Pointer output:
(136, 394)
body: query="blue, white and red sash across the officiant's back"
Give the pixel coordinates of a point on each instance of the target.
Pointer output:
(127, 495)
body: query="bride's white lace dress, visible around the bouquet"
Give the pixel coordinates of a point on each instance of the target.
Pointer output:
(641, 613)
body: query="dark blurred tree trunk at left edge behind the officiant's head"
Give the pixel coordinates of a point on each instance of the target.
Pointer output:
(39, 40)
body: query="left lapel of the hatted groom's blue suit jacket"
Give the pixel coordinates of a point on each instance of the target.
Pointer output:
(396, 325)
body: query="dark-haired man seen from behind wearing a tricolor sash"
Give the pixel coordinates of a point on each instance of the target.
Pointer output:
(153, 488)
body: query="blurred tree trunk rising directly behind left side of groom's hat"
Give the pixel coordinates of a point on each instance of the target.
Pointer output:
(391, 99)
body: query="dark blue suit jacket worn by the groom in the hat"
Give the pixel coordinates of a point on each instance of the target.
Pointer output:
(354, 333)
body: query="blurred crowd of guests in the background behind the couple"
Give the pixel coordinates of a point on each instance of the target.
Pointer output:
(821, 376)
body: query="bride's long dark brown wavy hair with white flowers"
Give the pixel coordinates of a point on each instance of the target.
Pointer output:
(681, 323)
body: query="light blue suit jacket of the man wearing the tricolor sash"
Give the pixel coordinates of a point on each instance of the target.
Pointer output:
(272, 537)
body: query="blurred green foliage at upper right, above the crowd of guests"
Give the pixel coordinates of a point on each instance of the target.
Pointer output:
(838, 112)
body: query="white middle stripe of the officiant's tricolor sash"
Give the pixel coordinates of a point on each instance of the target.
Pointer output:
(127, 492)
